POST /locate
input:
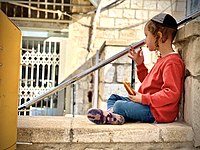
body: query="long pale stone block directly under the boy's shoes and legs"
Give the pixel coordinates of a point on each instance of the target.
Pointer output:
(87, 132)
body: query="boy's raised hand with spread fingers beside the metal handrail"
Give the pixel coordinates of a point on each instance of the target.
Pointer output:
(136, 56)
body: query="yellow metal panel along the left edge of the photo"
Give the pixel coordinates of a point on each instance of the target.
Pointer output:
(10, 39)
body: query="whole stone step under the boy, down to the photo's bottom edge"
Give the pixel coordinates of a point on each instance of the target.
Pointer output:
(68, 133)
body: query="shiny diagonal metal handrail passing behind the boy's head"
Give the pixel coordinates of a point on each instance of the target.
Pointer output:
(65, 83)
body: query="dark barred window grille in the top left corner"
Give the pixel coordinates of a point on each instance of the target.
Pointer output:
(41, 9)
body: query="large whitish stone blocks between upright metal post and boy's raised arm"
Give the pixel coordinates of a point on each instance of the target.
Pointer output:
(111, 76)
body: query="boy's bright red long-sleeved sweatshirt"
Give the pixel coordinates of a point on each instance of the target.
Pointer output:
(161, 88)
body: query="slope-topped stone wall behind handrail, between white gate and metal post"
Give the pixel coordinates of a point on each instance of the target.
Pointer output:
(83, 90)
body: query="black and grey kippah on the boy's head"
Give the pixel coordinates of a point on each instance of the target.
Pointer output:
(166, 20)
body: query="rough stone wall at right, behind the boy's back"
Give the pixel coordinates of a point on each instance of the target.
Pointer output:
(188, 43)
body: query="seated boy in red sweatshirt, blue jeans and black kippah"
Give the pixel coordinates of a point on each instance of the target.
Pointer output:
(157, 99)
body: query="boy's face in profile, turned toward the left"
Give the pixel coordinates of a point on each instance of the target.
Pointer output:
(150, 39)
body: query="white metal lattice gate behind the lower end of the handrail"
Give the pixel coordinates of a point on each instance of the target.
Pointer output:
(39, 72)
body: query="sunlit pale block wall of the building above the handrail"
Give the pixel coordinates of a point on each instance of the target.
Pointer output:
(123, 24)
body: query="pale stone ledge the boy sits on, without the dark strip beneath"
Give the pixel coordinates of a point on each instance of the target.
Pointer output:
(78, 130)
